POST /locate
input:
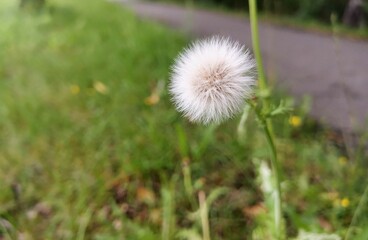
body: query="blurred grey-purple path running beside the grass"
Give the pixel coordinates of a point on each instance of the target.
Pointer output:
(333, 72)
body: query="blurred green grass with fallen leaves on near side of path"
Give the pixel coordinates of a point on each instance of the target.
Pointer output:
(92, 148)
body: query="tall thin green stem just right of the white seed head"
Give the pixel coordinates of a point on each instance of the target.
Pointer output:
(266, 123)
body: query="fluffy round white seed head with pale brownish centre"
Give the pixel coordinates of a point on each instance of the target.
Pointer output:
(212, 79)
